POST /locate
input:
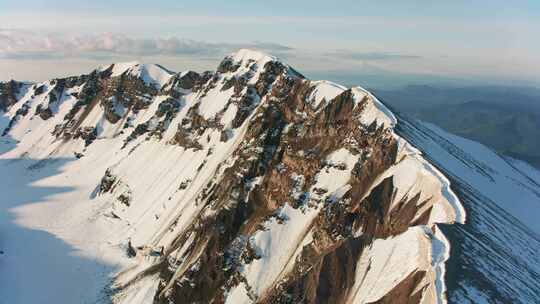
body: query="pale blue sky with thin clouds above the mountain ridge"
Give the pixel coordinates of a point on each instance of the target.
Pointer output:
(490, 42)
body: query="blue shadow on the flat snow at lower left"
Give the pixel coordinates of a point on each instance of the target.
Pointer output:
(36, 266)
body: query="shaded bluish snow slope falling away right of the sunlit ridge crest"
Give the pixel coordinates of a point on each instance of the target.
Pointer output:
(494, 258)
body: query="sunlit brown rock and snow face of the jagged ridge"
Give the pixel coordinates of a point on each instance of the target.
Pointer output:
(250, 184)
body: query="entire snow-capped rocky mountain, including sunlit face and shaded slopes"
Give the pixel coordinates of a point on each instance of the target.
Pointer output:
(251, 184)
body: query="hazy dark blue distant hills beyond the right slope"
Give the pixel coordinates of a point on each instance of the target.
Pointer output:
(506, 119)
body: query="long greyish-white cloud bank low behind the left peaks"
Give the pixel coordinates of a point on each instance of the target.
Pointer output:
(22, 44)
